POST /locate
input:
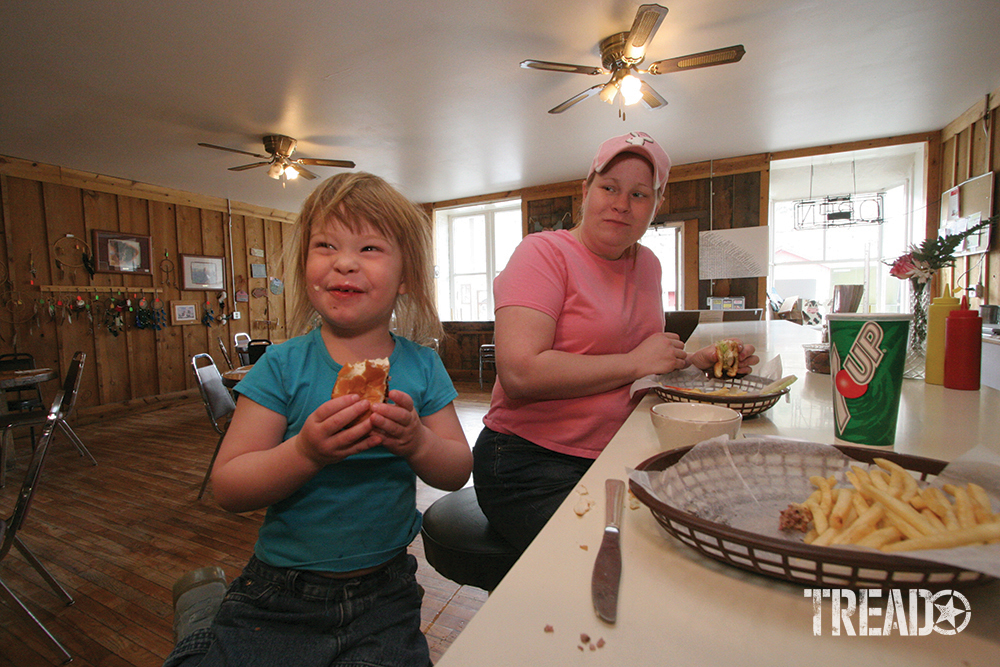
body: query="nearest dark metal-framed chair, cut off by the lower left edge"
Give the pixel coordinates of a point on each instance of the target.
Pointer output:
(11, 526)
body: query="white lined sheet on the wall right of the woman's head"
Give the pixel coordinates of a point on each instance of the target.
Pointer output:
(733, 253)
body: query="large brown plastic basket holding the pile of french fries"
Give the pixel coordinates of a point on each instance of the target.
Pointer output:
(799, 562)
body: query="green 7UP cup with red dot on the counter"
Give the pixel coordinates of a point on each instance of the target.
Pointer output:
(867, 355)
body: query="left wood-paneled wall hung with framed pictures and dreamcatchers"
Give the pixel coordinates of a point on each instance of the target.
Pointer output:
(133, 366)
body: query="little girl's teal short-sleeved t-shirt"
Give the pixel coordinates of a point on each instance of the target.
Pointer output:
(362, 511)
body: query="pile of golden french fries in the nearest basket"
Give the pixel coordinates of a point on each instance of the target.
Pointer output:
(884, 508)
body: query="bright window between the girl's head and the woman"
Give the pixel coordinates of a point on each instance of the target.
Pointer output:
(472, 245)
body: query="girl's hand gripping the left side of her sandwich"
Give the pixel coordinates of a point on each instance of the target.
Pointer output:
(323, 438)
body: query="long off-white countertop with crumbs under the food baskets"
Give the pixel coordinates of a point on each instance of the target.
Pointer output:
(679, 608)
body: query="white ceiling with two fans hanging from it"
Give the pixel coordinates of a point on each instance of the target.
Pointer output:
(430, 94)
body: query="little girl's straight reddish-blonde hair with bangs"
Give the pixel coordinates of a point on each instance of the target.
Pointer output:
(357, 200)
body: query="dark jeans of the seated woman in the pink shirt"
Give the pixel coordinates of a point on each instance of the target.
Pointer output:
(520, 485)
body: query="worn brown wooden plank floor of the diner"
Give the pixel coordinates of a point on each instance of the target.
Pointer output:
(118, 535)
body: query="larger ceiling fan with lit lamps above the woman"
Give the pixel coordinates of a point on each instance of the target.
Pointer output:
(623, 52)
